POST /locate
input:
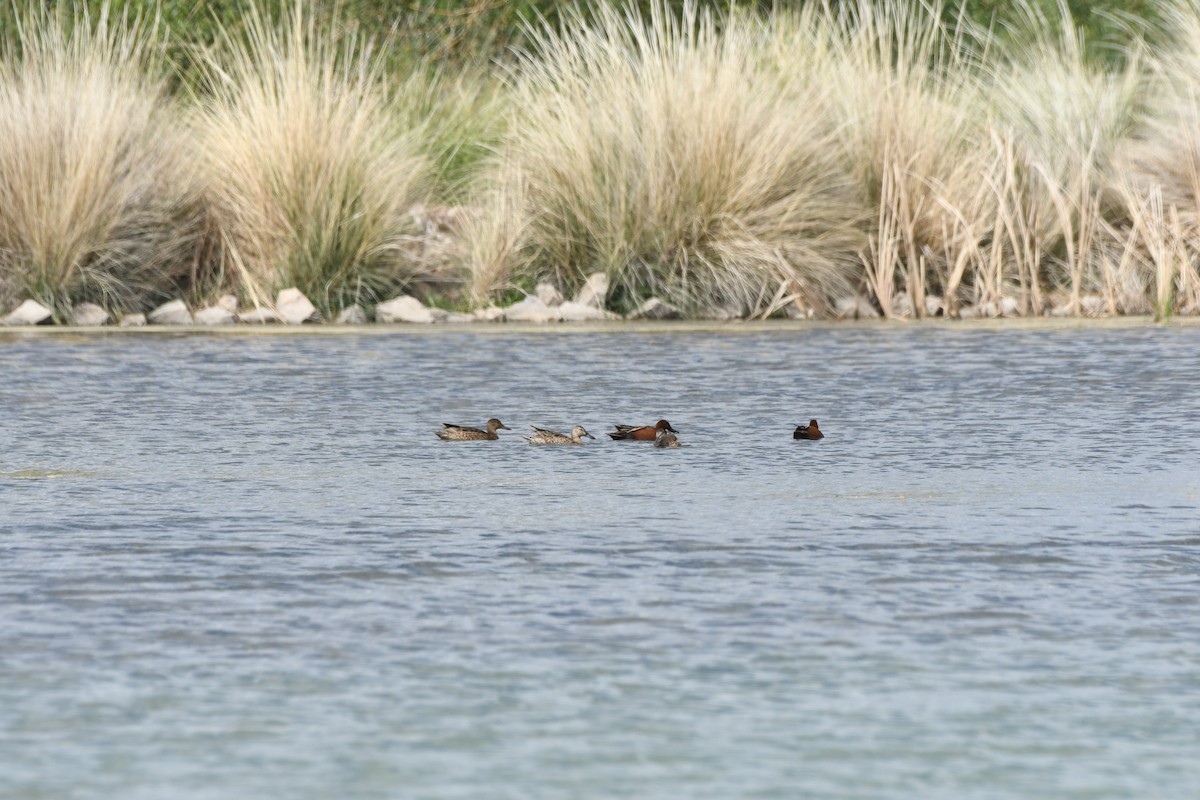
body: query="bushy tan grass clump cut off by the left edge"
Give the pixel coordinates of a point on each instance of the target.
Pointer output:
(98, 199)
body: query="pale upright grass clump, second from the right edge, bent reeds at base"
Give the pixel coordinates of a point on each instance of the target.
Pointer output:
(1069, 118)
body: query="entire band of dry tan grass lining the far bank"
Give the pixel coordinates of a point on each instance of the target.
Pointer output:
(733, 166)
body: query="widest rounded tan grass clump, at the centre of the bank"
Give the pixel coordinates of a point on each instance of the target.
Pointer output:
(659, 151)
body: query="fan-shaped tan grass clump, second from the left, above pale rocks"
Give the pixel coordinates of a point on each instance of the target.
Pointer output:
(313, 177)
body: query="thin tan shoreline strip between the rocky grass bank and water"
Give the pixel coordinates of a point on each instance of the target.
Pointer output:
(625, 327)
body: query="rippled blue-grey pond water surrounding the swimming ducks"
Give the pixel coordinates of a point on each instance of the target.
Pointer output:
(244, 567)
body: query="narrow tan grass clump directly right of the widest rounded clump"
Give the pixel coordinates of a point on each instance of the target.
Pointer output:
(907, 98)
